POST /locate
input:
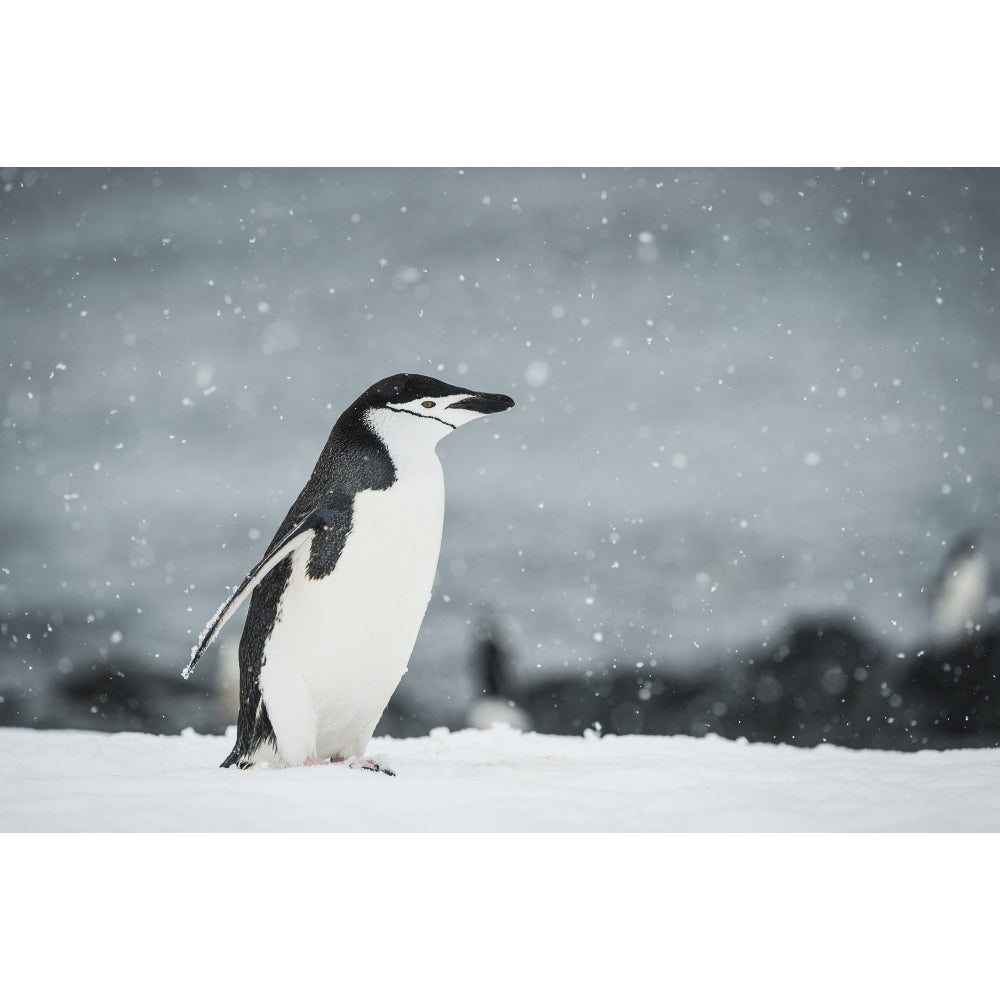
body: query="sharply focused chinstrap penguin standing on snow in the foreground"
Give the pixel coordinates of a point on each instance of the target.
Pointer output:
(338, 597)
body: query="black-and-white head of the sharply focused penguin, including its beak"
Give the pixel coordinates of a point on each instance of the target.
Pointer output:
(420, 404)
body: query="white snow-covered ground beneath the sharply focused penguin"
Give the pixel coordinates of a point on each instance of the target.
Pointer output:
(494, 781)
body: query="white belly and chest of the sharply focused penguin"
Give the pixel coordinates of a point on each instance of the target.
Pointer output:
(341, 639)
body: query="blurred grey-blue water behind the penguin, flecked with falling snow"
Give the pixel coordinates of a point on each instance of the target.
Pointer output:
(742, 394)
